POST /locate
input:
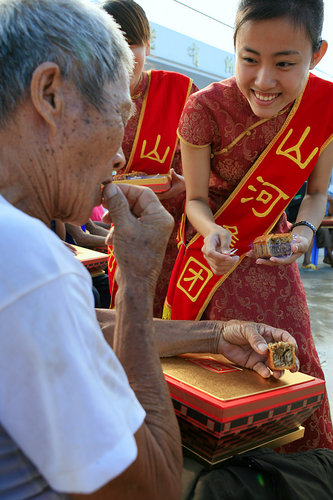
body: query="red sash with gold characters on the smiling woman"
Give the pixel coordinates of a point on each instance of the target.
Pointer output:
(256, 204)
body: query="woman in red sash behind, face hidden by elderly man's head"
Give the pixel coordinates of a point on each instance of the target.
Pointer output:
(150, 142)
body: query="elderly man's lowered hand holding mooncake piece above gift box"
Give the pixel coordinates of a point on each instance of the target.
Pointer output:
(245, 343)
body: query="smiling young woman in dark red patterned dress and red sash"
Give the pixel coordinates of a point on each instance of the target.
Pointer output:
(248, 144)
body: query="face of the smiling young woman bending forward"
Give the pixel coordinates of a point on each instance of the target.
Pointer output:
(273, 59)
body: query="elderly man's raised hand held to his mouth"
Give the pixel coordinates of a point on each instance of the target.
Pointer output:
(141, 230)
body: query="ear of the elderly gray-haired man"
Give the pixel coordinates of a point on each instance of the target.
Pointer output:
(47, 94)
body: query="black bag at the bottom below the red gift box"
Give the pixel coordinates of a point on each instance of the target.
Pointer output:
(262, 474)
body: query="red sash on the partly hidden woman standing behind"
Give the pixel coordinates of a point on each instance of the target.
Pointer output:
(156, 136)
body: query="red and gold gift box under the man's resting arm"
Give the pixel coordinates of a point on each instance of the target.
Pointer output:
(223, 409)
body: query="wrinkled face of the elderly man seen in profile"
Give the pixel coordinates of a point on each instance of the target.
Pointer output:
(92, 149)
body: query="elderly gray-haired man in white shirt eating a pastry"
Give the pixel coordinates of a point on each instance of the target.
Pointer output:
(76, 416)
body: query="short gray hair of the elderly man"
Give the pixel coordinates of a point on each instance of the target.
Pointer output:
(77, 35)
